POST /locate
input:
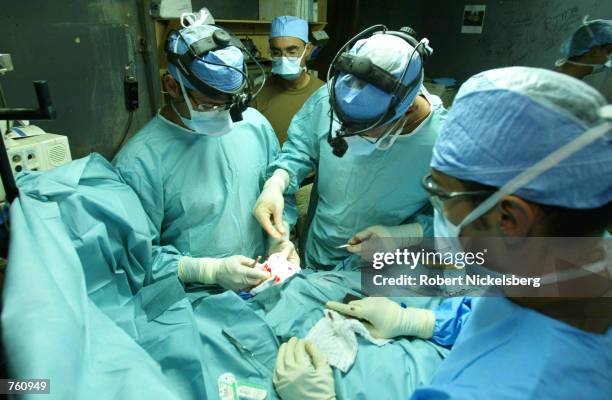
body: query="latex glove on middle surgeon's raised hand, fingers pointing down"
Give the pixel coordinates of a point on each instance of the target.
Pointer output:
(269, 207)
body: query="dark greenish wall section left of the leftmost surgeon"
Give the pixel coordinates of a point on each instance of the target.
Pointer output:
(81, 48)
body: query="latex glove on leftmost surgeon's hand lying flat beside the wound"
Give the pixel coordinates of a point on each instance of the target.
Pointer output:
(235, 272)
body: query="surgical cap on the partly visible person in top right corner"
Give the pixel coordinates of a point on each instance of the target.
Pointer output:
(593, 33)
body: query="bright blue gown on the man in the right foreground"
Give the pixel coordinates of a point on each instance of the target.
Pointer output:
(505, 351)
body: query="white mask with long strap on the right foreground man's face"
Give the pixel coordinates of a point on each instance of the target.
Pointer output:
(445, 227)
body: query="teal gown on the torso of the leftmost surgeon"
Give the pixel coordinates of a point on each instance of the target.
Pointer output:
(199, 190)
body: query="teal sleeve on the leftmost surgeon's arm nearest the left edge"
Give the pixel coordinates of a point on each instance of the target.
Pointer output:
(146, 181)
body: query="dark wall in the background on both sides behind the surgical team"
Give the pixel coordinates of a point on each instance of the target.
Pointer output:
(83, 46)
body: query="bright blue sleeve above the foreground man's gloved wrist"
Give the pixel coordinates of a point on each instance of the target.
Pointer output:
(451, 316)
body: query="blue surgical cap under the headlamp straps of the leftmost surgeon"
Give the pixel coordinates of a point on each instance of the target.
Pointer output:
(219, 77)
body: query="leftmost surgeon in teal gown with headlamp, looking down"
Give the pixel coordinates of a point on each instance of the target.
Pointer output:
(198, 173)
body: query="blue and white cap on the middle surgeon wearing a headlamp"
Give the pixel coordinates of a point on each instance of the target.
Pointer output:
(361, 101)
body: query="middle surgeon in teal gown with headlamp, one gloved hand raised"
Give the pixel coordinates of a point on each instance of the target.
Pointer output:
(359, 195)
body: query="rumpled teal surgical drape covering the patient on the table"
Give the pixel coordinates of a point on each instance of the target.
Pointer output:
(83, 307)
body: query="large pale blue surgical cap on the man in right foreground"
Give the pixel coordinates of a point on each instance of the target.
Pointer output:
(505, 120)
